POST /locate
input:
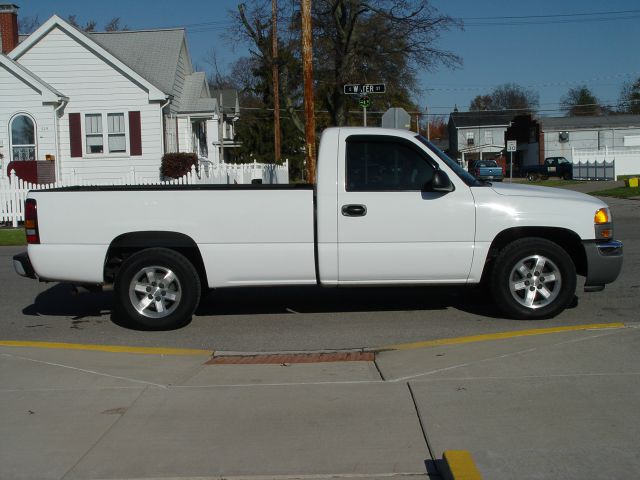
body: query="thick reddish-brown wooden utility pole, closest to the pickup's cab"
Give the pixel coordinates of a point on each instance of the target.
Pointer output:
(307, 69)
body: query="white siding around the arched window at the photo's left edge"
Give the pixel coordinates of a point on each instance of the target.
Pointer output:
(18, 97)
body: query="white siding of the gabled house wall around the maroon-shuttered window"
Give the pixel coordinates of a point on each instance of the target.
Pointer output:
(95, 86)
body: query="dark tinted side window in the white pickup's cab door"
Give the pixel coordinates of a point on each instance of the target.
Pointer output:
(385, 165)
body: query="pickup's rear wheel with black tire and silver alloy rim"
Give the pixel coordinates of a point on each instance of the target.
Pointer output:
(156, 289)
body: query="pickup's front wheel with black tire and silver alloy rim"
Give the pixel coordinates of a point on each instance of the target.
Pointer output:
(533, 278)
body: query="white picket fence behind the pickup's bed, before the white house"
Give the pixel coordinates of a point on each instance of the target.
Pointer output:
(13, 190)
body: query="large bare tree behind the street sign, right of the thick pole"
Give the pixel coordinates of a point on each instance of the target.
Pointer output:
(376, 41)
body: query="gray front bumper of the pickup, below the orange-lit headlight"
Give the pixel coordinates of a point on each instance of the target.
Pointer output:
(604, 263)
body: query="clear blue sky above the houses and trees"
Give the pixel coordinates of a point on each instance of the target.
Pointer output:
(546, 46)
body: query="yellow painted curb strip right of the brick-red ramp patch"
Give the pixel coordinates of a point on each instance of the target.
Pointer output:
(501, 336)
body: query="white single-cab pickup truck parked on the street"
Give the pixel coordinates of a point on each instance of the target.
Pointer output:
(389, 208)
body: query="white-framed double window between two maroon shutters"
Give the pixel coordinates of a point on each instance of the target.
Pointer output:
(96, 136)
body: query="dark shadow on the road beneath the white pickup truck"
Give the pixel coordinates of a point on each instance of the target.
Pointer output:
(60, 300)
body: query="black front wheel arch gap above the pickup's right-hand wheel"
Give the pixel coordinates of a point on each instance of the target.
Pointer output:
(567, 239)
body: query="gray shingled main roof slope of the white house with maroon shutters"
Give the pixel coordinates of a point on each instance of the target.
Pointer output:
(151, 53)
